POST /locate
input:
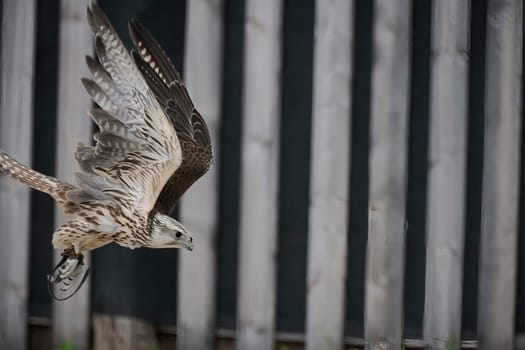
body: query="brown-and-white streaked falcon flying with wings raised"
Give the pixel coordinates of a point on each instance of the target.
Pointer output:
(152, 145)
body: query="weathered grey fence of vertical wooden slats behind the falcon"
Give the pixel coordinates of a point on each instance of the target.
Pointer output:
(332, 108)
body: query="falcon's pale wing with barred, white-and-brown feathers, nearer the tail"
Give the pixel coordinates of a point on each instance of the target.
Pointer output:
(137, 149)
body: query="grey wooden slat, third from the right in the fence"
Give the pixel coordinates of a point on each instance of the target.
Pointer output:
(388, 175)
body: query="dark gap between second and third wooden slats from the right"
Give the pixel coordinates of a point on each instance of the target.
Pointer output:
(418, 144)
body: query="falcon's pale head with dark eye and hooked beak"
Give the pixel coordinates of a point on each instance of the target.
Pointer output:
(167, 232)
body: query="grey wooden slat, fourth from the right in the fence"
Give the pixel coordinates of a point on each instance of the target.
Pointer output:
(329, 187)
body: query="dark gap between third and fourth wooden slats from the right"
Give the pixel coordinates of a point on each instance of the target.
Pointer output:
(358, 208)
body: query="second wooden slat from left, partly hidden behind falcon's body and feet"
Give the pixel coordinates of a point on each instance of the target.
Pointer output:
(71, 317)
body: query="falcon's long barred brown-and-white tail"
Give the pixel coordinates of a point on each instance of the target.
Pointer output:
(32, 178)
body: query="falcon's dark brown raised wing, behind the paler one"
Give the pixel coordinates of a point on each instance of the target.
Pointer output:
(165, 82)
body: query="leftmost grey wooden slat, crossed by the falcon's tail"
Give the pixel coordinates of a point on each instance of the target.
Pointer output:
(16, 113)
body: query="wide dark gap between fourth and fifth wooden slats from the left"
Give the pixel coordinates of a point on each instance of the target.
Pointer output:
(295, 138)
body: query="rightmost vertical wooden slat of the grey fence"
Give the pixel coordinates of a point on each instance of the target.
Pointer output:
(501, 164)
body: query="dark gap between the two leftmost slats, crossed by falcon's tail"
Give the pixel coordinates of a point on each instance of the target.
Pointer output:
(44, 137)
